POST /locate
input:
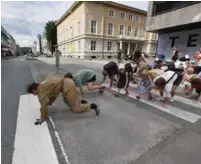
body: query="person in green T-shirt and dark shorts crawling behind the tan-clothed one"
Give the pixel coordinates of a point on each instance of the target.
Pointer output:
(85, 77)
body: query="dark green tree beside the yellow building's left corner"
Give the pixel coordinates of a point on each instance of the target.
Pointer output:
(51, 34)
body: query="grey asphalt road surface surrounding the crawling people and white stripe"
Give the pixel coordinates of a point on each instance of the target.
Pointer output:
(127, 131)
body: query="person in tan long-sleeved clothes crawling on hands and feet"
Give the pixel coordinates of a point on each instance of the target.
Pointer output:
(50, 89)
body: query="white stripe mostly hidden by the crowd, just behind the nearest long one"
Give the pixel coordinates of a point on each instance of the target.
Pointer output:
(177, 98)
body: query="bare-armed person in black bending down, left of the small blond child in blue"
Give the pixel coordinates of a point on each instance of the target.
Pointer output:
(124, 77)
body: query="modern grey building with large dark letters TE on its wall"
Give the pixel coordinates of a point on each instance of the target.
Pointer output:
(178, 23)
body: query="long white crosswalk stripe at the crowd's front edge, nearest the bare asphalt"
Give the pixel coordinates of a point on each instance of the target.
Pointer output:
(191, 117)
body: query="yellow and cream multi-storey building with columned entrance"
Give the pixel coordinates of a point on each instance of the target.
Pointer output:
(100, 29)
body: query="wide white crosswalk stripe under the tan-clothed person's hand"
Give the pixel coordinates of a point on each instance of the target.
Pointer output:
(33, 144)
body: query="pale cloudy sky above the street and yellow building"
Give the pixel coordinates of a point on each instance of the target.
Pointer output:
(24, 20)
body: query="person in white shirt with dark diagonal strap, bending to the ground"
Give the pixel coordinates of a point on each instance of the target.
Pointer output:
(167, 83)
